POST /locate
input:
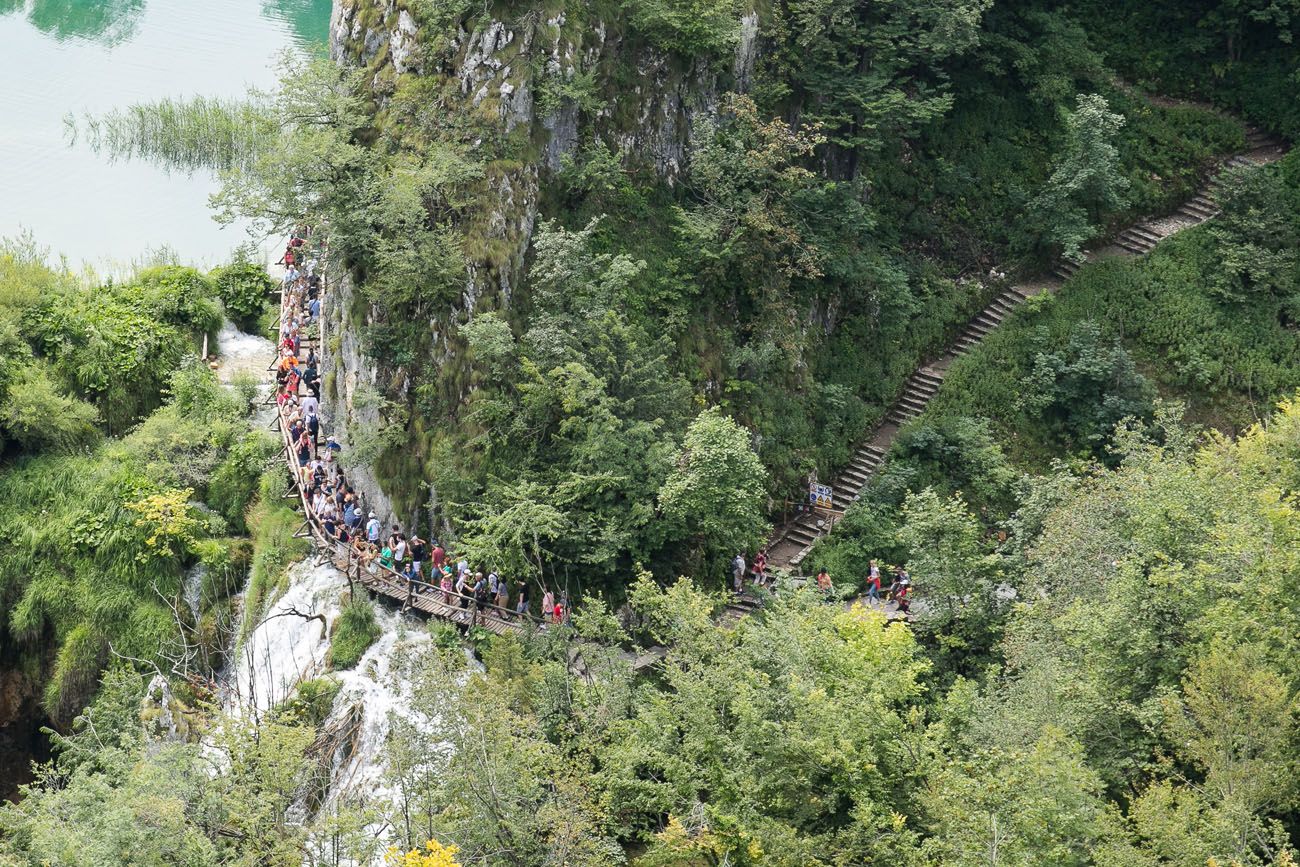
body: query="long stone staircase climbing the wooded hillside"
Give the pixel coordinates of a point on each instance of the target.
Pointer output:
(794, 541)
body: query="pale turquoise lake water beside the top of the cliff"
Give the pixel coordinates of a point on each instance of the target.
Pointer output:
(79, 57)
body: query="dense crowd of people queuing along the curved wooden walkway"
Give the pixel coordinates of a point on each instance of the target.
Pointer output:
(343, 513)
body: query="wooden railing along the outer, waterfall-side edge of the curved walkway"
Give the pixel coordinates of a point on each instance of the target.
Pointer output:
(375, 575)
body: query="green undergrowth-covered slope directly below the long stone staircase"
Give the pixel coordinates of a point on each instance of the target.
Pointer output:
(1207, 322)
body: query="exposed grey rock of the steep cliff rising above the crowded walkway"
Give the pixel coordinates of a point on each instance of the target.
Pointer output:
(548, 84)
